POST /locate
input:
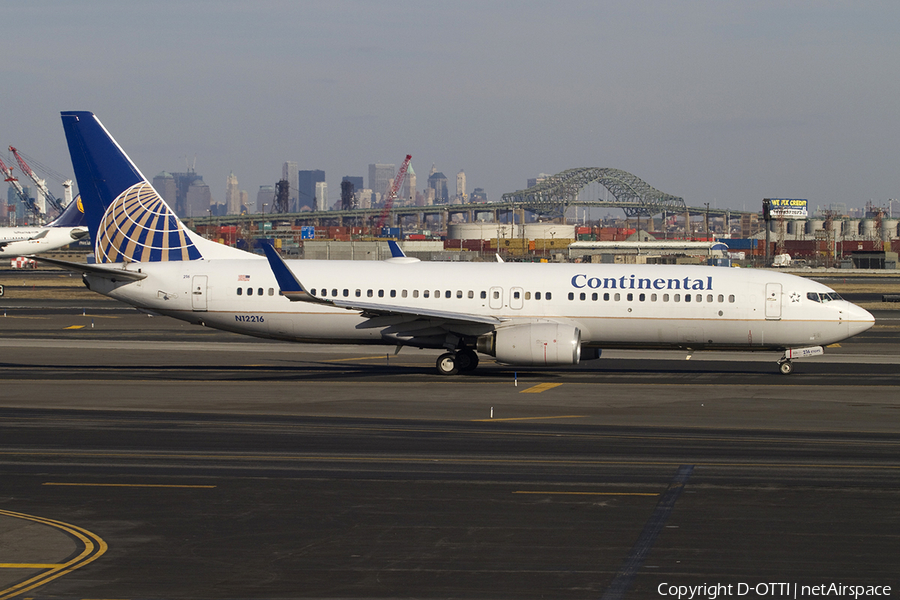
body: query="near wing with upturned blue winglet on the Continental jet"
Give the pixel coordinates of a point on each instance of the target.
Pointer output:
(396, 317)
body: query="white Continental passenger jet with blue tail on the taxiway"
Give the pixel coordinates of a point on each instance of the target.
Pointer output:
(522, 314)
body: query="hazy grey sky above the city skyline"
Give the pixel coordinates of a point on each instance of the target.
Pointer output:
(715, 101)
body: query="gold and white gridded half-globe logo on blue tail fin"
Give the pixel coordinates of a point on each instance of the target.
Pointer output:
(140, 227)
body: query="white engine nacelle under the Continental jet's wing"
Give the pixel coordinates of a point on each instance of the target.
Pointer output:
(533, 344)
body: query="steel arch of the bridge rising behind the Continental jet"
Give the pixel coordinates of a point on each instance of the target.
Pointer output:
(636, 197)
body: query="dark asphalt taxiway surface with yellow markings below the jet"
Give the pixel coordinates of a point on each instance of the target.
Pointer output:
(144, 458)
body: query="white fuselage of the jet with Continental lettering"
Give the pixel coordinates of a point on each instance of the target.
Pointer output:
(612, 305)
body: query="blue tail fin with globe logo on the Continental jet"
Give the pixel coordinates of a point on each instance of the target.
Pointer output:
(127, 219)
